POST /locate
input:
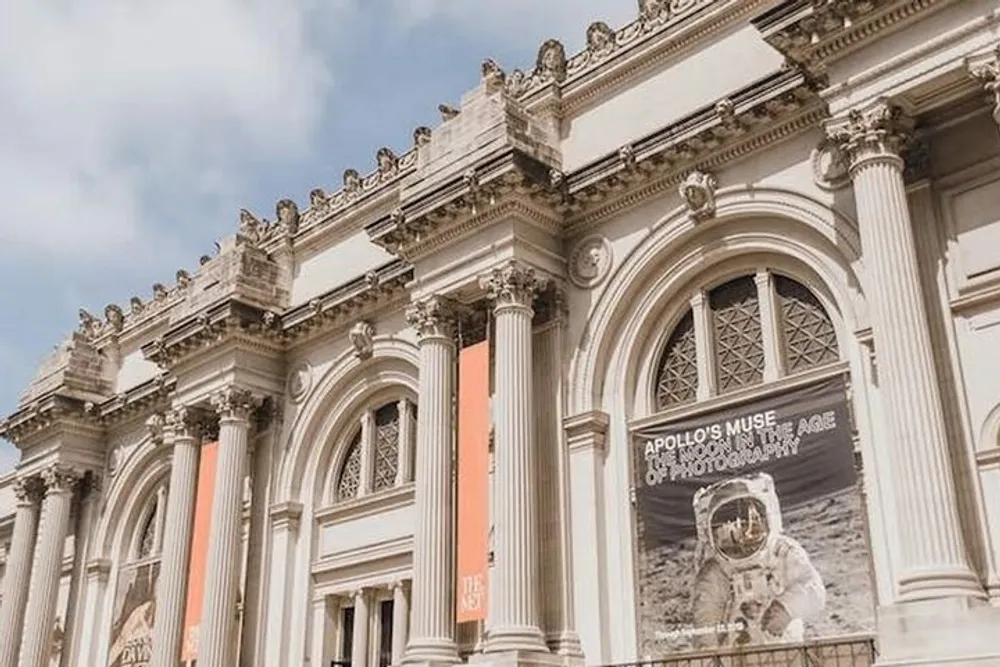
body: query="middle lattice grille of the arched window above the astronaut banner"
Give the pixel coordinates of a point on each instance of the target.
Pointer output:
(739, 340)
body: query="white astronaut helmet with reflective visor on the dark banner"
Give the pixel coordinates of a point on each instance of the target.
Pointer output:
(737, 518)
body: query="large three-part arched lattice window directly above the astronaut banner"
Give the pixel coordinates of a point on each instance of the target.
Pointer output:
(749, 330)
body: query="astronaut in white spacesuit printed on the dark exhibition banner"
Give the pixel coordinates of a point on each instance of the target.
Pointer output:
(753, 584)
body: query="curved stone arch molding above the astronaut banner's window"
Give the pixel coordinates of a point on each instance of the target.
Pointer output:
(777, 222)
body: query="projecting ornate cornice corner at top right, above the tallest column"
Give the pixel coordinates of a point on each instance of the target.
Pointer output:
(813, 34)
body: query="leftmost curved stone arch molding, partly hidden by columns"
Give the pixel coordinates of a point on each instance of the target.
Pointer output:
(129, 500)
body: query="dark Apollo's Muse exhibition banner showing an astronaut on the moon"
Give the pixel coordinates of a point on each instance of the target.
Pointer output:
(750, 526)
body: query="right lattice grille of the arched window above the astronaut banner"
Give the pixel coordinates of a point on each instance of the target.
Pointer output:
(809, 339)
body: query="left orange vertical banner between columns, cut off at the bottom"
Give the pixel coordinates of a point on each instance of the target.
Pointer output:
(199, 553)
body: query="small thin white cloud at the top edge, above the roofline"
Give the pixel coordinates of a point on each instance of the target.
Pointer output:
(524, 22)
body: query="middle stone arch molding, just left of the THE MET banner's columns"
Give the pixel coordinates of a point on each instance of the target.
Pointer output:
(316, 435)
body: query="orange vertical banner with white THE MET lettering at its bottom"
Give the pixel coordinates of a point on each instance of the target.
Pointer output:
(473, 481)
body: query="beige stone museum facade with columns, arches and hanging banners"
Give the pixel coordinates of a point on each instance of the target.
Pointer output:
(681, 347)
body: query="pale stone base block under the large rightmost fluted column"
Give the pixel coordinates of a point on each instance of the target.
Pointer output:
(951, 632)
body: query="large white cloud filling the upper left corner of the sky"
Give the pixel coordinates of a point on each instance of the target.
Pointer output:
(110, 105)
